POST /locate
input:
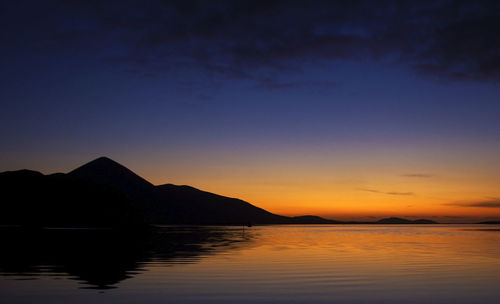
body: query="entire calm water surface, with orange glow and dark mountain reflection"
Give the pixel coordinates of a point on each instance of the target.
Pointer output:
(264, 264)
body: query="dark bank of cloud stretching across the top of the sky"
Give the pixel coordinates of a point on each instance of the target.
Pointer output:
(451, 40)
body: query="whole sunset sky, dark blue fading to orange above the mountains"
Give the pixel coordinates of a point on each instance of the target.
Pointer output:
(351, 110)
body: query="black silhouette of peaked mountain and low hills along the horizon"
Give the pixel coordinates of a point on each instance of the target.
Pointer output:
(104, 193)
